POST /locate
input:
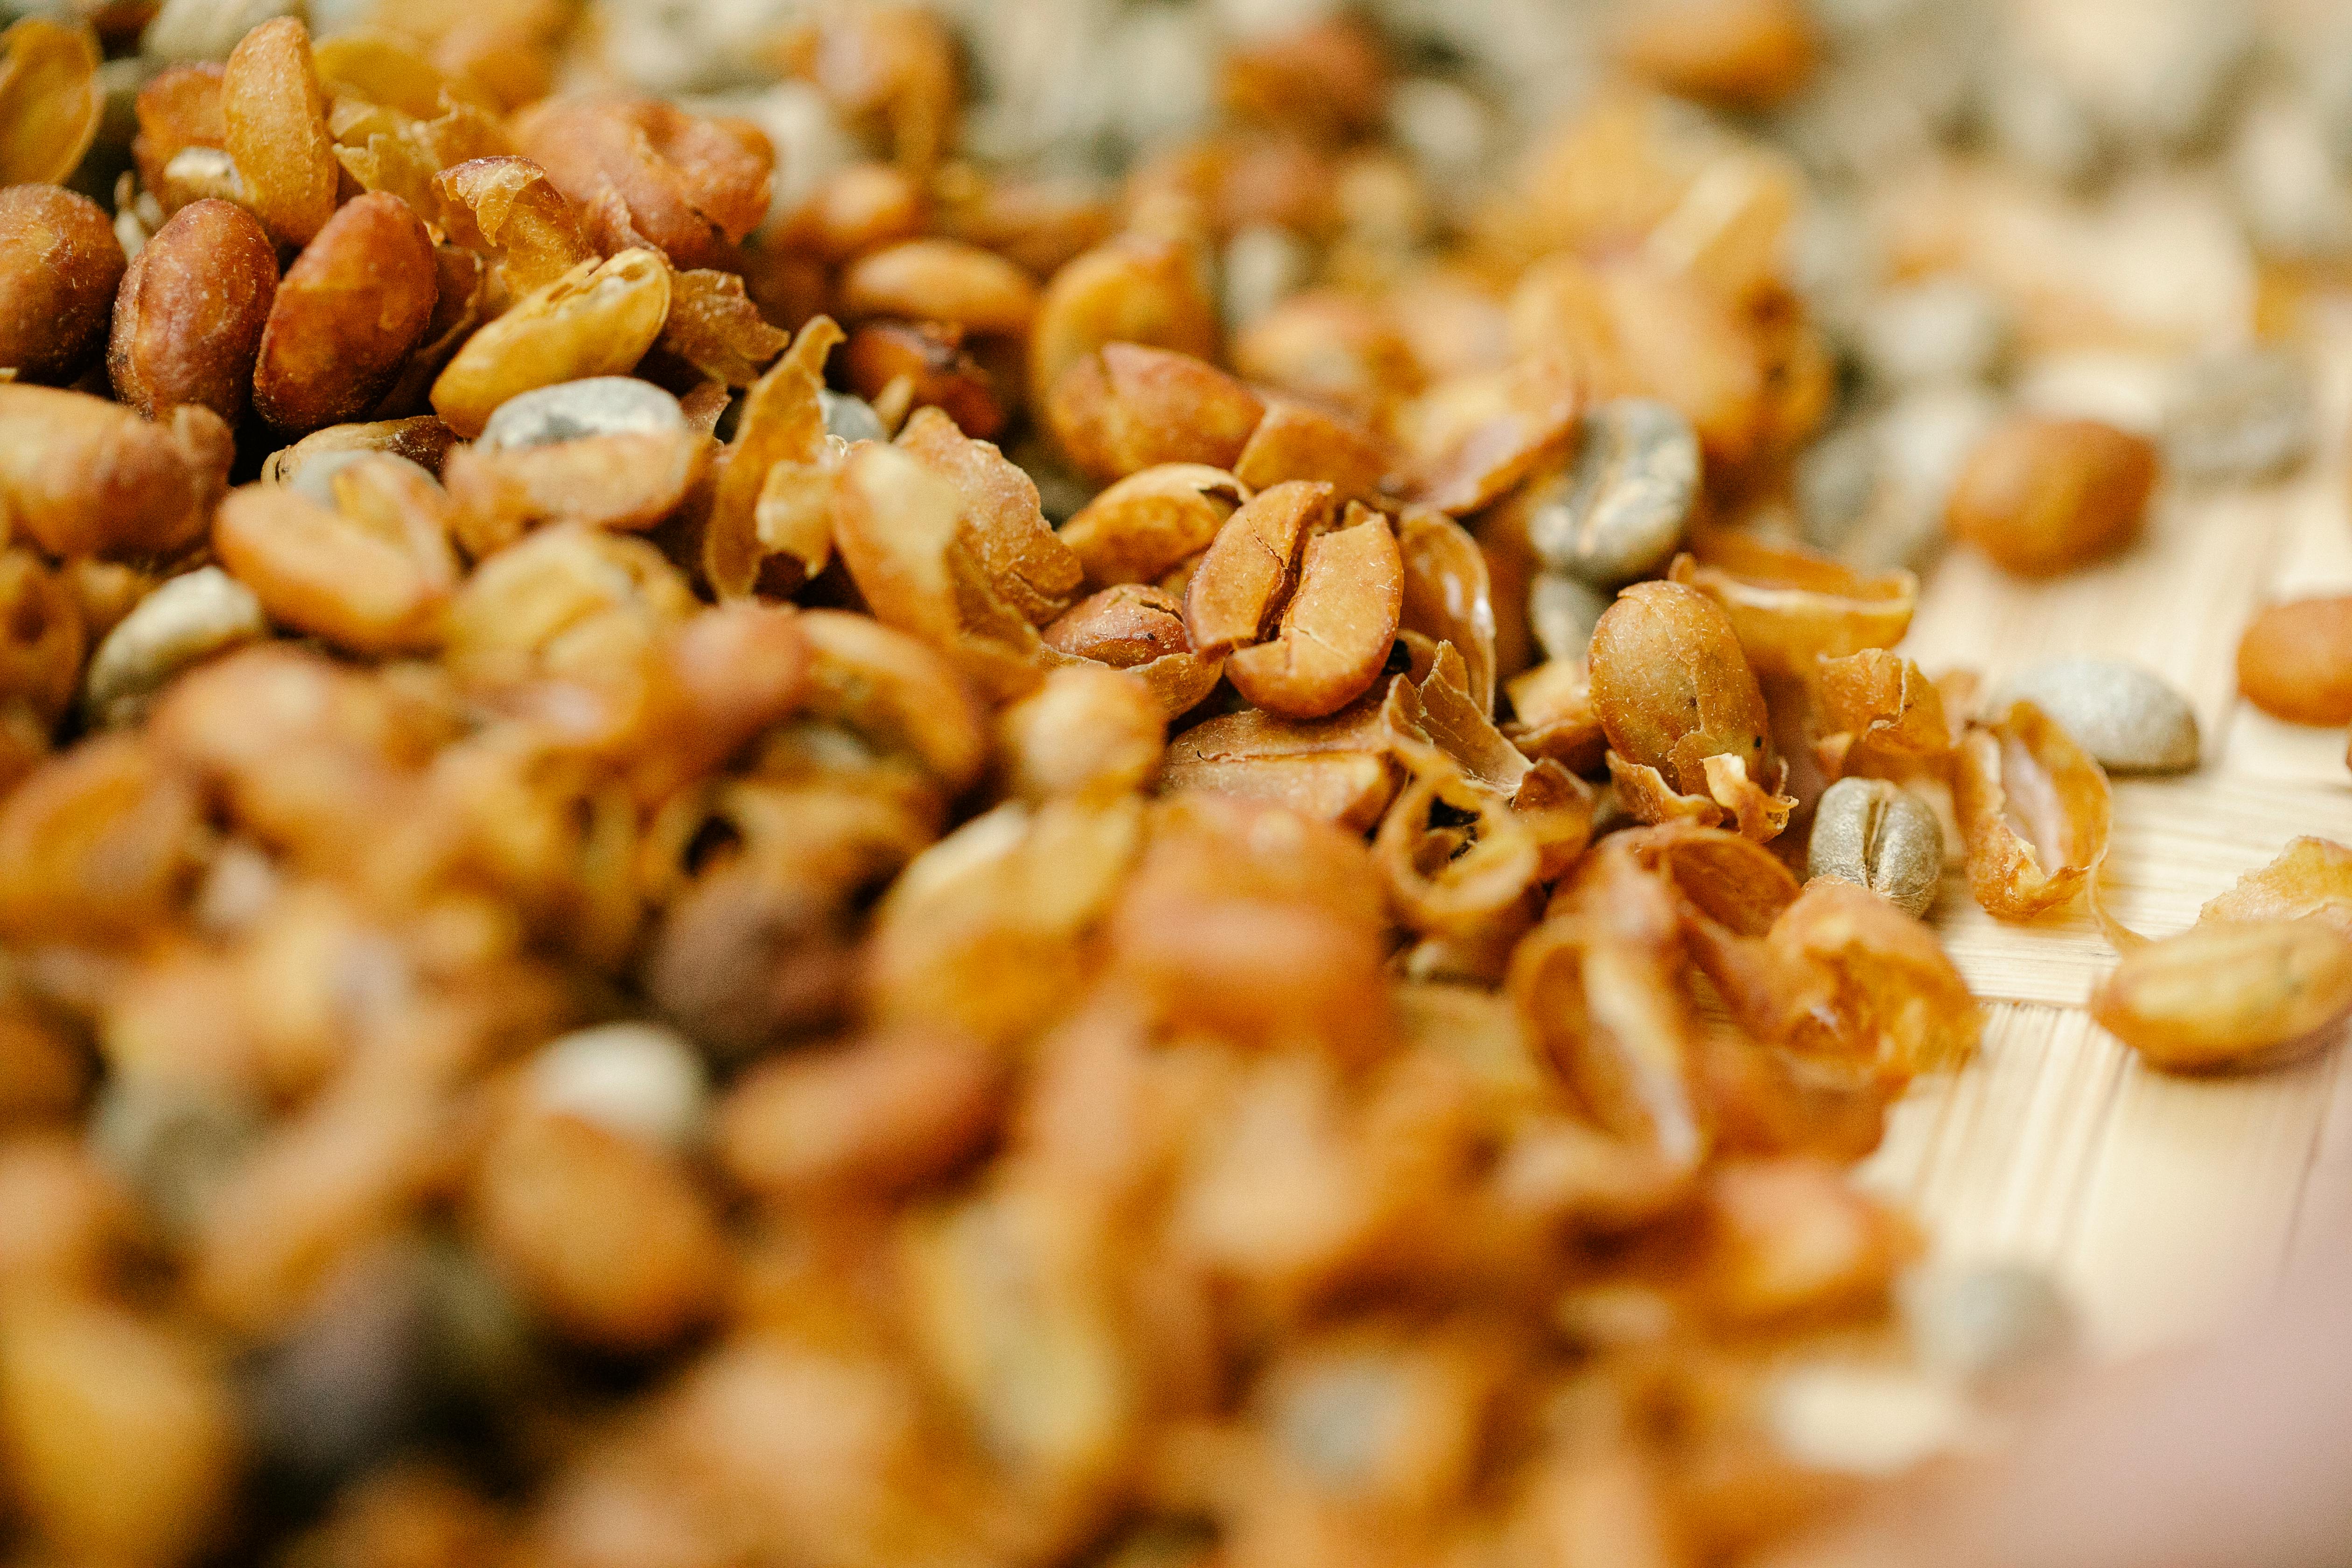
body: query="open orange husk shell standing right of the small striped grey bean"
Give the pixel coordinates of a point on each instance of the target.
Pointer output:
(2033, 812)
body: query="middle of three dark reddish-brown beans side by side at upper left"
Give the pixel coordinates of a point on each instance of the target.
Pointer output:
(192, 311)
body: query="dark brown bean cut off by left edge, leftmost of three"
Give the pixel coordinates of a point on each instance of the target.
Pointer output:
(60, 264)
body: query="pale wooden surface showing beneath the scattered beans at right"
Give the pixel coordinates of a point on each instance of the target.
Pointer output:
(2163, 1202)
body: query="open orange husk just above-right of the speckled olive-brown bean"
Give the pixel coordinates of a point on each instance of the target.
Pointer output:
(1793, 608)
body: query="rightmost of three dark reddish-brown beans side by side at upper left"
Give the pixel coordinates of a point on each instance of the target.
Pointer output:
(347, 316)
